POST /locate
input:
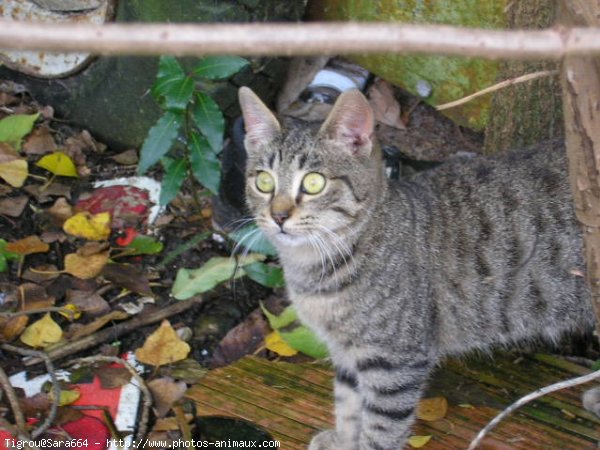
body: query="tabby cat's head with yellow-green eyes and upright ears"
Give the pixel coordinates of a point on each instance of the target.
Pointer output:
(306, 188)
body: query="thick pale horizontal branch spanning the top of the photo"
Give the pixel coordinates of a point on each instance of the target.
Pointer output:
(298, 39)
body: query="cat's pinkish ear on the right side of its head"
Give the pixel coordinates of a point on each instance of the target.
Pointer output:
(351, 121)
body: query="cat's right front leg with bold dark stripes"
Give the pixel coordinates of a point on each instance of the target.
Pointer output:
(390, 390)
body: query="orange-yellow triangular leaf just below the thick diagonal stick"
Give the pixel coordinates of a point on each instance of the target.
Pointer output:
(162, 347)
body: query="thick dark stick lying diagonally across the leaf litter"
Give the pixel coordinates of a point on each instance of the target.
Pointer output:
(117, 330)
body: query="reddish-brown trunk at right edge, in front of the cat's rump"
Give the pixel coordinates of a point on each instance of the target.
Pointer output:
(581, 93)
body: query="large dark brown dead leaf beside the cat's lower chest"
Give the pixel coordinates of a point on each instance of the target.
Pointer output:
(244, 339)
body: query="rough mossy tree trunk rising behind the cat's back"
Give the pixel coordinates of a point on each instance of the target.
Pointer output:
(529, 112)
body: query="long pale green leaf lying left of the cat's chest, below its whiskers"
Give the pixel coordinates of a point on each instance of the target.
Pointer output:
(190, 282)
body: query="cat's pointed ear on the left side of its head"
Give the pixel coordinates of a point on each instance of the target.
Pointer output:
(260, 123)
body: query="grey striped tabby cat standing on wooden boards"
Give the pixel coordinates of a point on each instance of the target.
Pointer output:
(394, 275)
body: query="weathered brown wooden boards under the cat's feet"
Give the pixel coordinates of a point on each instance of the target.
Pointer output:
(294, 401)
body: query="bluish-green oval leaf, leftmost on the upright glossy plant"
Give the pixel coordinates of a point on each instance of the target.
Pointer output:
(159, 140)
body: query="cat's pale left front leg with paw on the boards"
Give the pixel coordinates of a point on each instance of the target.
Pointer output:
(347, 415)
